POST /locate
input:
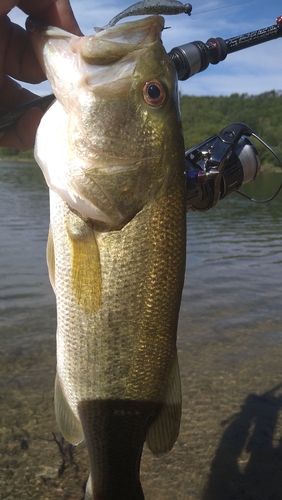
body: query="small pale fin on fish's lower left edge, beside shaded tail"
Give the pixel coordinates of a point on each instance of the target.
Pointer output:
(68, 423)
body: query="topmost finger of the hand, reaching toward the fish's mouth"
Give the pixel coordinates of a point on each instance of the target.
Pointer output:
(53, 12)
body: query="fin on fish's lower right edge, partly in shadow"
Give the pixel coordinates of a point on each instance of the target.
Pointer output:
(165, 428)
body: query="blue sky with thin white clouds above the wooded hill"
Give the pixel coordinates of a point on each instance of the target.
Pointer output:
(250, 71)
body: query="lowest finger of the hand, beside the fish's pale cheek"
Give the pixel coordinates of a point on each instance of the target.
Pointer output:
(23, 136)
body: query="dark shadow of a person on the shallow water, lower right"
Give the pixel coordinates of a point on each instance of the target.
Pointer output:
(247, 463)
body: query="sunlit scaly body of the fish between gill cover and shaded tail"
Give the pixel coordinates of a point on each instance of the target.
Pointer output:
(138, 295)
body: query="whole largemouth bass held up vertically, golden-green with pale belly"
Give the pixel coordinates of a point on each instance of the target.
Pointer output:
(112, 153)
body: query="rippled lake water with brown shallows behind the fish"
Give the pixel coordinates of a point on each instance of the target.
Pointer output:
(230, 351)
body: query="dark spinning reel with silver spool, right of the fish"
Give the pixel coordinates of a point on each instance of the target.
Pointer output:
(221, 165)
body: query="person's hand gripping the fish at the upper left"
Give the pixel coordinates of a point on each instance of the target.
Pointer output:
(18, 60)
